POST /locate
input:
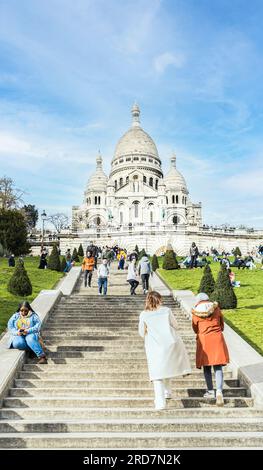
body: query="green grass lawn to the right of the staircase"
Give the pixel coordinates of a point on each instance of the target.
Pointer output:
(247, 318)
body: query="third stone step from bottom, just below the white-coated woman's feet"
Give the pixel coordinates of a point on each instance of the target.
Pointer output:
(56, 413)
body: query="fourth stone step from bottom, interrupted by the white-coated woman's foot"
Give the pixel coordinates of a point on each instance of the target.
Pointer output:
(186, 402)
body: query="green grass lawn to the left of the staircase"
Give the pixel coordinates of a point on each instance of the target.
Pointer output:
(40, 279)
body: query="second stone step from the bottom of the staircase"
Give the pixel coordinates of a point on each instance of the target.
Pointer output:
(133, 425)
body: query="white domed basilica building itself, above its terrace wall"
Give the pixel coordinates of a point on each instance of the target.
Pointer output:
(136, 193)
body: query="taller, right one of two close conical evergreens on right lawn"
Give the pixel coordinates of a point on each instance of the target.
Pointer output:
(224, 293)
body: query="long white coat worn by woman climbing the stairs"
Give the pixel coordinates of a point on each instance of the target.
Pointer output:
(165, 350)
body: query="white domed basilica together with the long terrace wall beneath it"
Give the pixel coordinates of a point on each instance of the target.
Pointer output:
(138, 205)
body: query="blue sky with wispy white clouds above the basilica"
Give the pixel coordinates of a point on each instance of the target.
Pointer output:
(71, 70)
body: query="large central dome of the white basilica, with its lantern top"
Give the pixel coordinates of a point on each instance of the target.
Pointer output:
(135, 141)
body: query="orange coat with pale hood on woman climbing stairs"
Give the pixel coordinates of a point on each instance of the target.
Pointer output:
(211, 348)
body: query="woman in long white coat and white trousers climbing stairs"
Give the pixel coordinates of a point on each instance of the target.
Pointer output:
(165, 350)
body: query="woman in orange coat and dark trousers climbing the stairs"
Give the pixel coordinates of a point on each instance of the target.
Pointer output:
(211, 349)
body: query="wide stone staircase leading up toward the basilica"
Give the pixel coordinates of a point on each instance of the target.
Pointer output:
(95, 393)
